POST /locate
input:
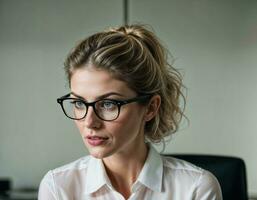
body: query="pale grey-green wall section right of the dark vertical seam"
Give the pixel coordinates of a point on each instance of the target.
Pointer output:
(215, 46)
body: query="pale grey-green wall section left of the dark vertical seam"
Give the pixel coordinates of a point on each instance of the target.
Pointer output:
(35, 37)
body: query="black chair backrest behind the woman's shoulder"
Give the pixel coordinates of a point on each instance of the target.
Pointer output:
(230, 172)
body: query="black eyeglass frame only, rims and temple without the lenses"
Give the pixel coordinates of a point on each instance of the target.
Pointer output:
(119, 103)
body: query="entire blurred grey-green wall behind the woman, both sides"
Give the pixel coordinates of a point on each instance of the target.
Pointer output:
(214, 44)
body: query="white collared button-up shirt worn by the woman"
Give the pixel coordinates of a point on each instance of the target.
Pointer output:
(161, 178)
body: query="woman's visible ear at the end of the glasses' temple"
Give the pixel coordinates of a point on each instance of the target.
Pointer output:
(152, 107)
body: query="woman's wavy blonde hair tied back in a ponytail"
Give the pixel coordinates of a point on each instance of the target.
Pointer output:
(134, 54)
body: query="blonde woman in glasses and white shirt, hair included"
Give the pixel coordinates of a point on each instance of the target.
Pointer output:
(124, 95)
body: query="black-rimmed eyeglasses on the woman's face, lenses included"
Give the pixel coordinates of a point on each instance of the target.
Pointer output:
(105, 109)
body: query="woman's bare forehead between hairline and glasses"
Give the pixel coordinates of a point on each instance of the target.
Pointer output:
(91, 83)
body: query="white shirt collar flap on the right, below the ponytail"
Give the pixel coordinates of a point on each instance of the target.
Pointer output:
(152, 173)
